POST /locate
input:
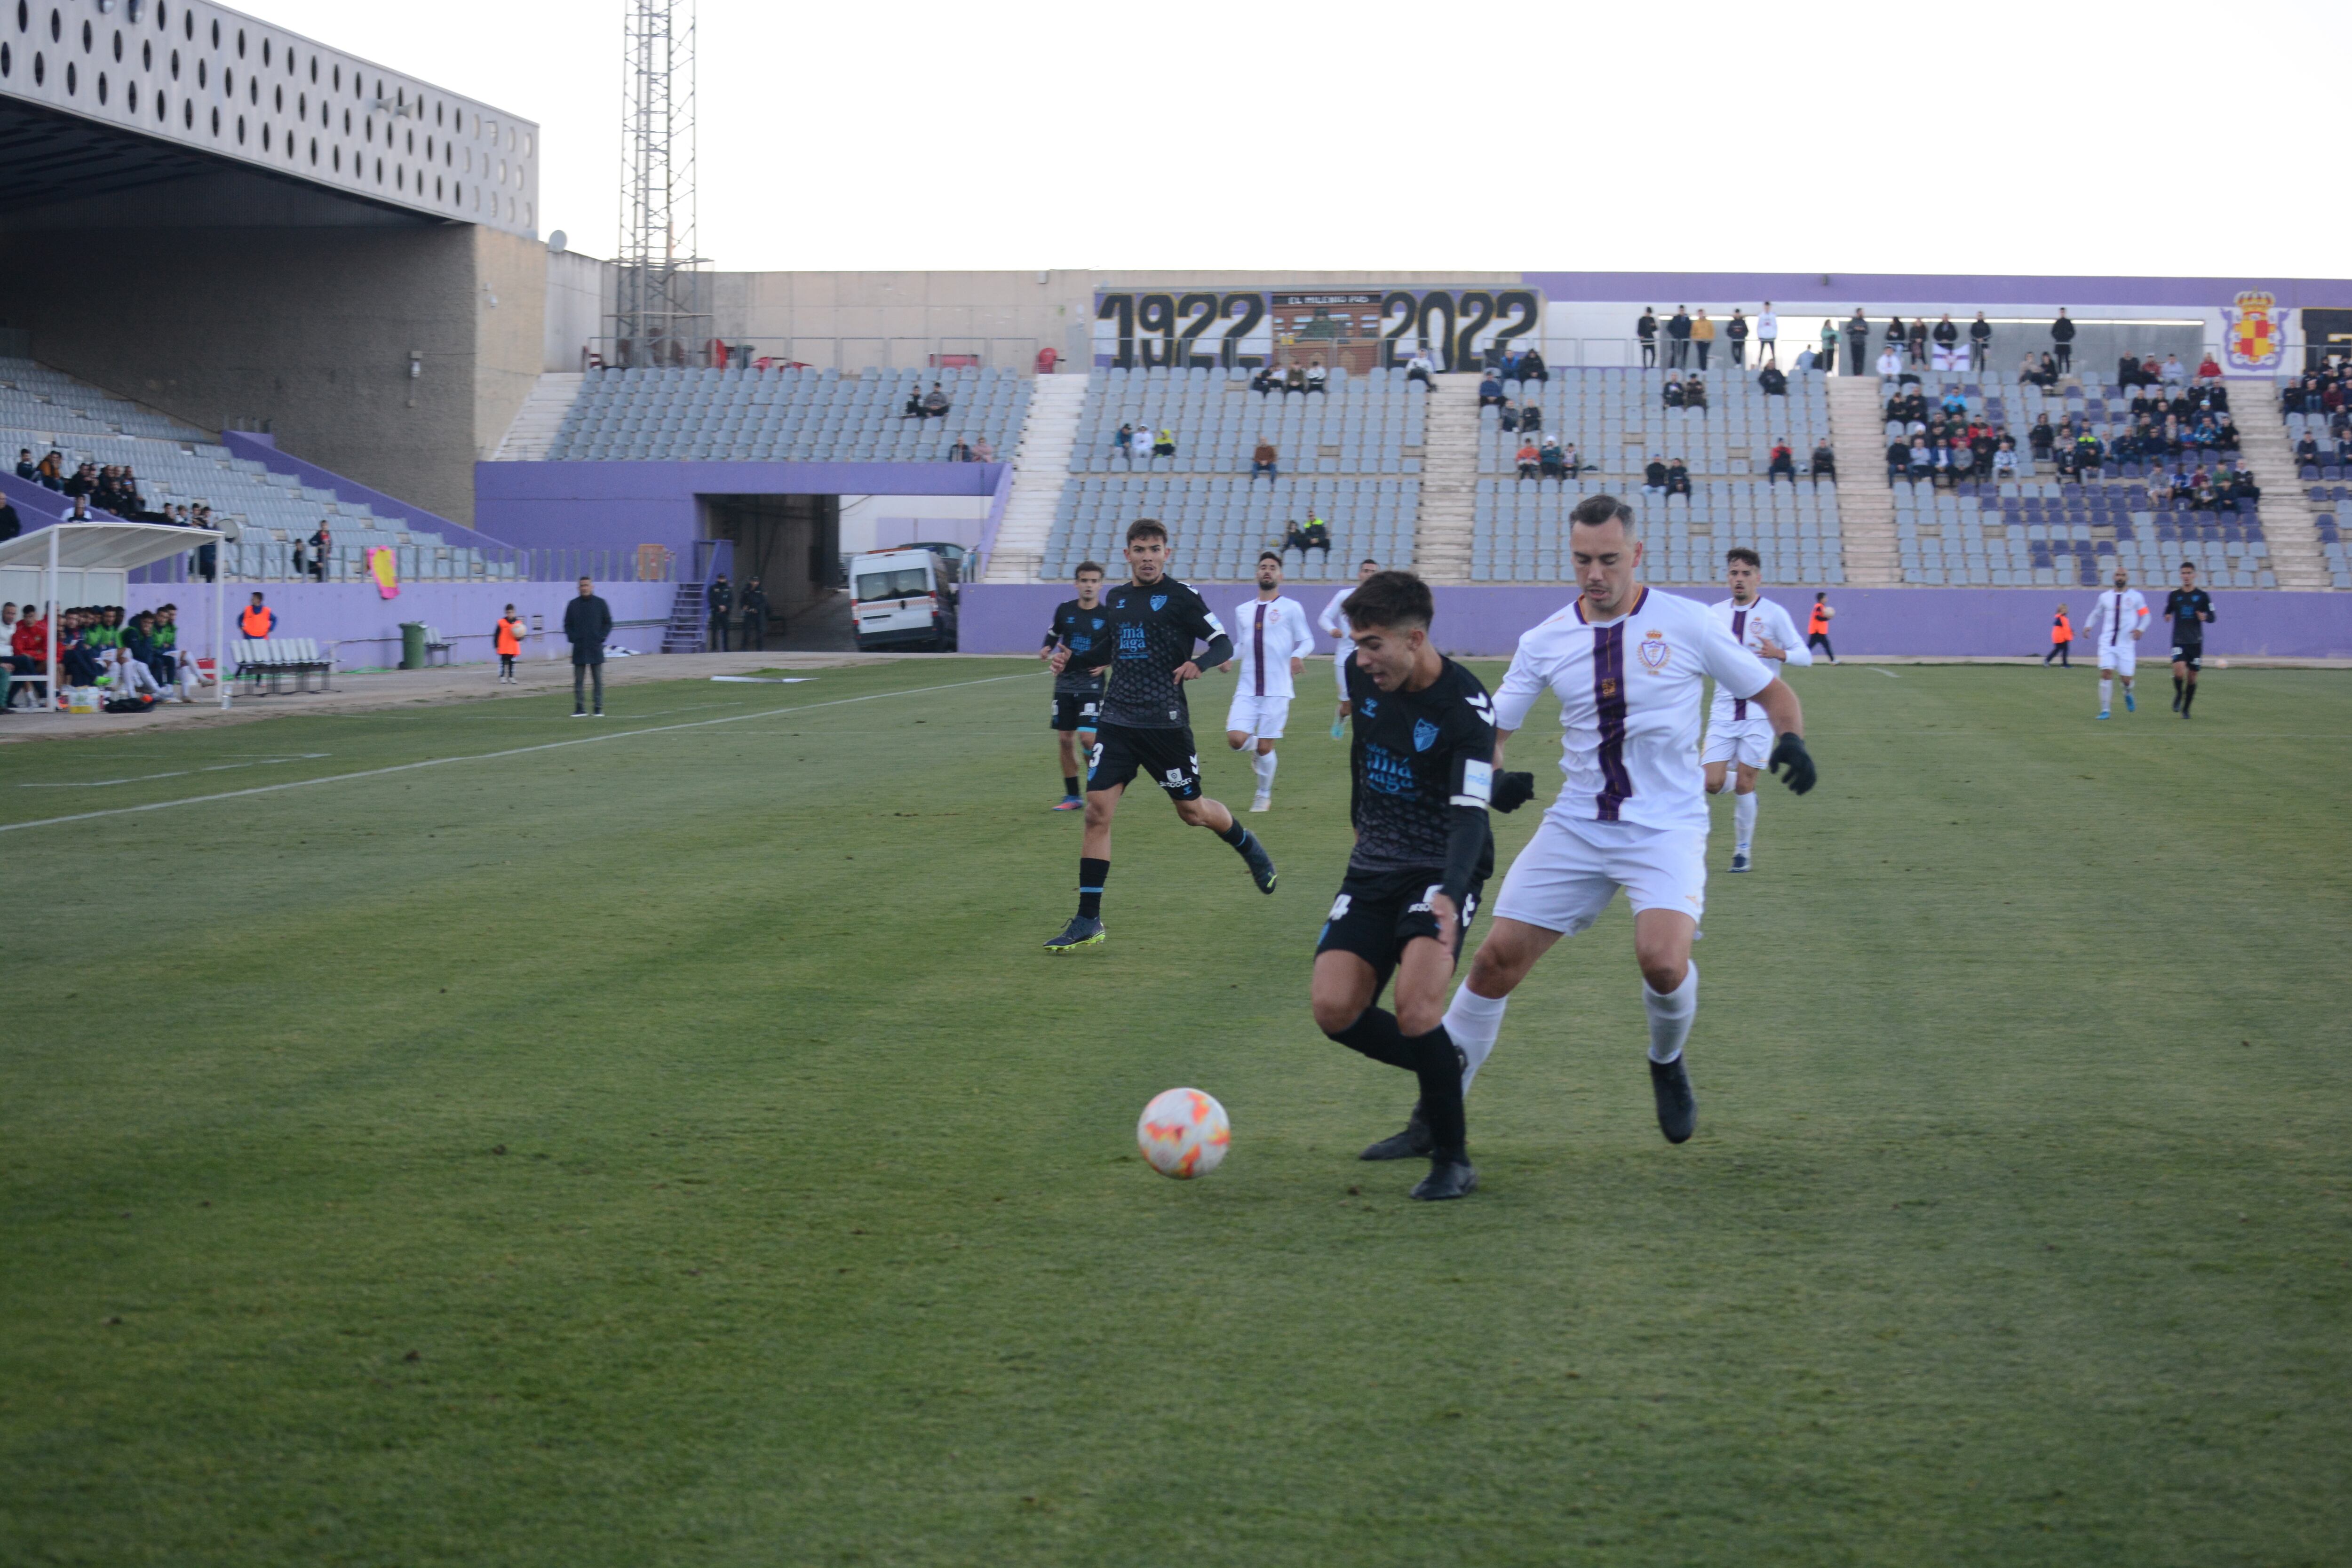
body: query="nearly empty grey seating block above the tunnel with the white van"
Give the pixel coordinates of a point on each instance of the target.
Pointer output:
(787, 417)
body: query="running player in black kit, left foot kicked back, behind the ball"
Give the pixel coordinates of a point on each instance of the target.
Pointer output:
(1147, 725)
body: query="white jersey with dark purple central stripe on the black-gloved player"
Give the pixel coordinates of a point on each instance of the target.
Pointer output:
(1629, 706)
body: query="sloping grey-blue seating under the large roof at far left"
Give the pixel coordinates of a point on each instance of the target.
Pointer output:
(180, 467)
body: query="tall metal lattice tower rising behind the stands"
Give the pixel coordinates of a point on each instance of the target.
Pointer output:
(662, 314)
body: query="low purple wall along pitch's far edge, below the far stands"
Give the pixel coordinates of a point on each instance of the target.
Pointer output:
(1923, 622)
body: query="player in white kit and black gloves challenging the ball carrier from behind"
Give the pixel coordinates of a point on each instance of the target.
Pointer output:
(1626, 666)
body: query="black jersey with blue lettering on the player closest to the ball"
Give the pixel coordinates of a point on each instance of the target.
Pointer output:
(1417, 758)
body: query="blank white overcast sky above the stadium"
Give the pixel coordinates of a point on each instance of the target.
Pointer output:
(1702, 135)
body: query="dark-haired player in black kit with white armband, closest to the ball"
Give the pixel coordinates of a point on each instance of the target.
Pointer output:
(1424, 779)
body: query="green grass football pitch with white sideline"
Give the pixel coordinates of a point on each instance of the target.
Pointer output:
(679, 1151)
